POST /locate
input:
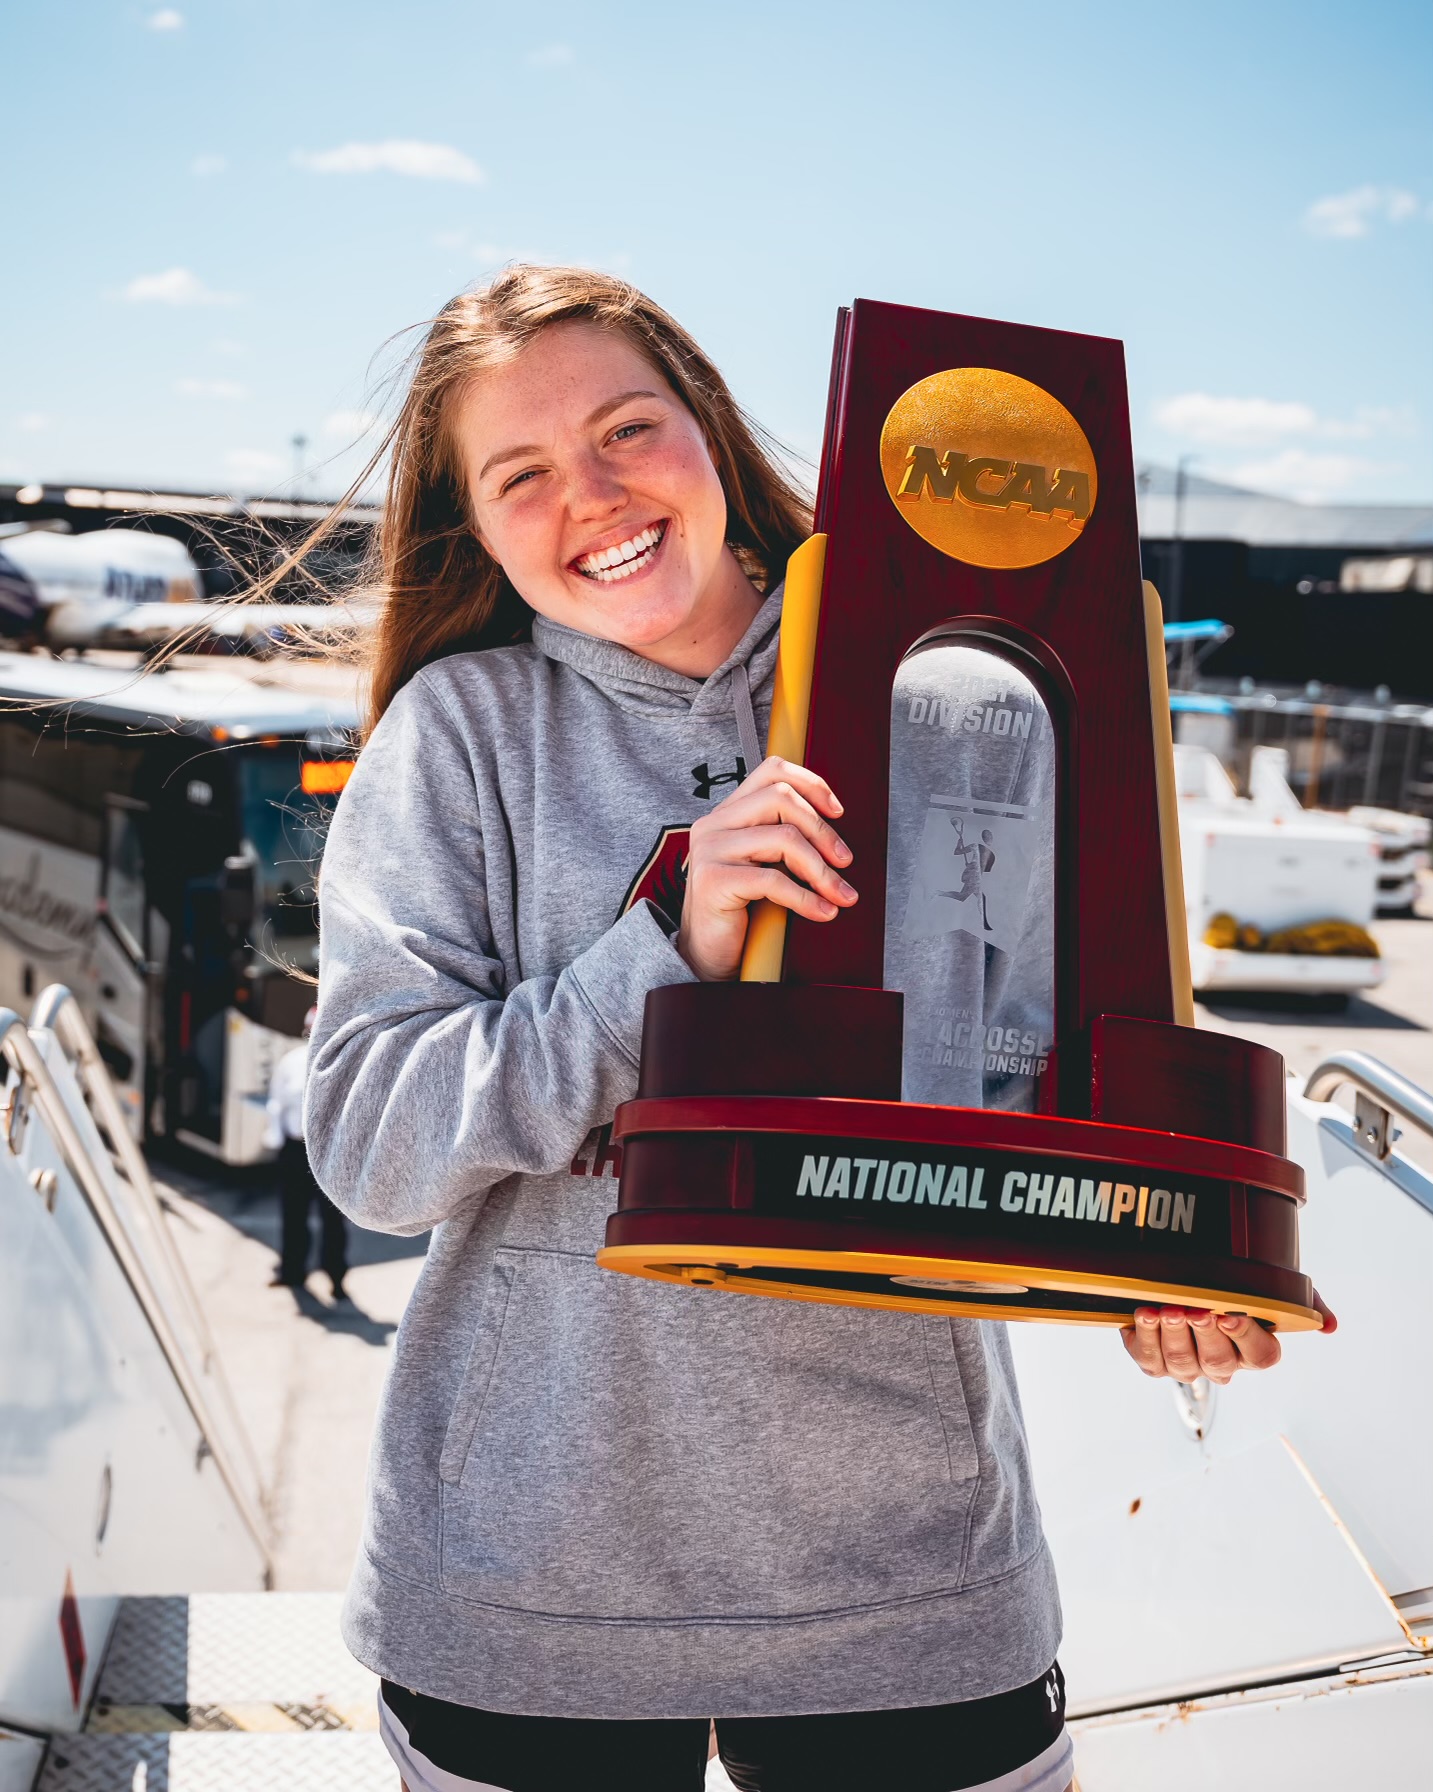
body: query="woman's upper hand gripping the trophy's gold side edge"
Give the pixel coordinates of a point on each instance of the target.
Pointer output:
(769, 840)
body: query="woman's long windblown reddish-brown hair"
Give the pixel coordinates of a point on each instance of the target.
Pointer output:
(438, 589)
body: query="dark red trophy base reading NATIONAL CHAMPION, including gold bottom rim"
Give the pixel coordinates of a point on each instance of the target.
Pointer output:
(769, 1153)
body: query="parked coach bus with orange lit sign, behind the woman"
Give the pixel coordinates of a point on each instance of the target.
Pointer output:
(160, 834)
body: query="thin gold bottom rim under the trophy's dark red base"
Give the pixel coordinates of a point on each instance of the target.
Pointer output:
(957, 1288)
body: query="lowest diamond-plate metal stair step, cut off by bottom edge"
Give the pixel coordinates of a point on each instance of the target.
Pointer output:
(218, 1764)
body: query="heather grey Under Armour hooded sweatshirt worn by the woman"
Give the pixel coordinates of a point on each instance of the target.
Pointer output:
(594, 1495)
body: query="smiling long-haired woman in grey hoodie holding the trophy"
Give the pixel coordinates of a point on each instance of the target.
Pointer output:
(605, 1512)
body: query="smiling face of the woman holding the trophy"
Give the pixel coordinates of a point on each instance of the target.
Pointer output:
(594, 488)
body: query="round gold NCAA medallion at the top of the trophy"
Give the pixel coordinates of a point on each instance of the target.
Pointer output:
(990, 469)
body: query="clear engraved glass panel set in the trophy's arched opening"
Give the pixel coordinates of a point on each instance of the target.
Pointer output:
(970, 935)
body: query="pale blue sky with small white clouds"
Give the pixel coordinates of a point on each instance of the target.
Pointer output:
(221, 211)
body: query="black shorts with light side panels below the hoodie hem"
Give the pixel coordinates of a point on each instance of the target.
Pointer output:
(1013, 1743)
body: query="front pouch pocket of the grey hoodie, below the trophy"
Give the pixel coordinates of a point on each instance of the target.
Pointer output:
(630, 1451)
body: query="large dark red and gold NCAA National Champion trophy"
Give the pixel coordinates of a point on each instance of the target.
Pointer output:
(981, 1092)
